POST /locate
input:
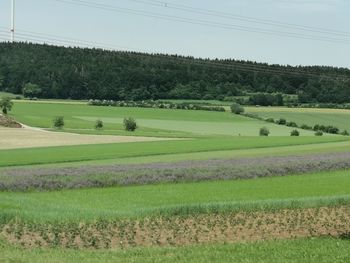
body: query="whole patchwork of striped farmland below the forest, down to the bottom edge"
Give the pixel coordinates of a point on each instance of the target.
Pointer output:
(186, 185)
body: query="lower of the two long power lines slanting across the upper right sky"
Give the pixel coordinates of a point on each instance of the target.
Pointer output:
(202, 22)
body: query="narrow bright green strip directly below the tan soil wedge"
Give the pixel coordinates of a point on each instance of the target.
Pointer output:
(30, 156)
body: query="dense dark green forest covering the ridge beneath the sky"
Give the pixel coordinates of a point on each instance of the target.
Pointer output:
(46, 71)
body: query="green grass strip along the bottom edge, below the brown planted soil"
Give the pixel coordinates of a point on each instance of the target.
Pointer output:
(312, 250)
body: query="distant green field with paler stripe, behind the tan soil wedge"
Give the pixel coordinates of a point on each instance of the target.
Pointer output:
(151, 121)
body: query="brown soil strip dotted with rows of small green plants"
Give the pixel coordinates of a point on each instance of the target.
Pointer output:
(184, 230)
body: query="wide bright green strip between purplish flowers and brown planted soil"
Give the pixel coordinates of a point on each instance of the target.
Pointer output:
(114, 202)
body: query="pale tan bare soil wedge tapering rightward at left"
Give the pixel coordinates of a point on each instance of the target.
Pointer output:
(30, 138)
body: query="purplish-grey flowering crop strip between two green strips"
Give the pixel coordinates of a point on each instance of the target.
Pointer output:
(22, 179)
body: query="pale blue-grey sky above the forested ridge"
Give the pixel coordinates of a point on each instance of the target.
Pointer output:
(135, 25)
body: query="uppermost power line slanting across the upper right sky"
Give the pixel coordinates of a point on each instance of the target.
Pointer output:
(226, 15)
